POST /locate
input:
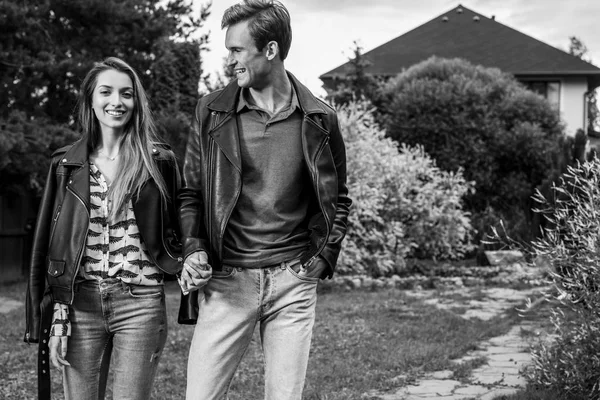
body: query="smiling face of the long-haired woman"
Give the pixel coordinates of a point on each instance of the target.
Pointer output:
(113, 100)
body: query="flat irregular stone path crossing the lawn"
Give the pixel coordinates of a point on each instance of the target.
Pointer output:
(506, 355)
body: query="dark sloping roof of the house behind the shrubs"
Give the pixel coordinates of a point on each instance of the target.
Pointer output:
(467, 34)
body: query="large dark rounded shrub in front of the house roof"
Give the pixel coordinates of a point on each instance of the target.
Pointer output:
(483, 121)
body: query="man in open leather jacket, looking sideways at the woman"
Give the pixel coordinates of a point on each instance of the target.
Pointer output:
(264, 203)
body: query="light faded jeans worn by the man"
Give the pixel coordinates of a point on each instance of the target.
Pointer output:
(233, 302)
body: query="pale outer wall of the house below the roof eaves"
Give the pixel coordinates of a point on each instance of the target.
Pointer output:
(572, 103)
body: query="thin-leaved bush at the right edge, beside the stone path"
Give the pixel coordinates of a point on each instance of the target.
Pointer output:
(570, 248)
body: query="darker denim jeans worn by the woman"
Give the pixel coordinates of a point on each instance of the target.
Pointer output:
(114, 321)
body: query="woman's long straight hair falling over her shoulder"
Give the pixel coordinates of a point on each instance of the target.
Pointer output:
(136, 144)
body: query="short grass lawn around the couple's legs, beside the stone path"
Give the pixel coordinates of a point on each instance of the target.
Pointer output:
(362, 341)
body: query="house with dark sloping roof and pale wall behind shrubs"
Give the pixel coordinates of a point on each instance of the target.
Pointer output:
(565, 80)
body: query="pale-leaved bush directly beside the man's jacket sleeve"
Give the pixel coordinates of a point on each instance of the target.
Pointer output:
(404, 205)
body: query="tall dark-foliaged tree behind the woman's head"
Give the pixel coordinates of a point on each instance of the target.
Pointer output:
(47, 46)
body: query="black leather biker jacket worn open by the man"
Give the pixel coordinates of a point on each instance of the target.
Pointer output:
(213, 180)
